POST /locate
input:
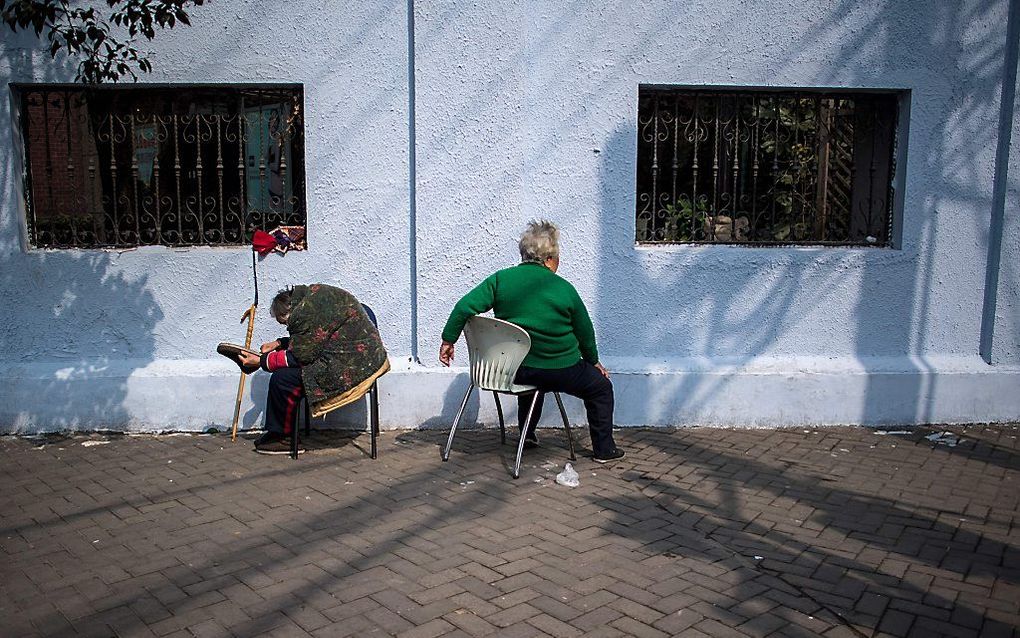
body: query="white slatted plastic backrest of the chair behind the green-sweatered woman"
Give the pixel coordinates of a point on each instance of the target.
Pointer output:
(496, 350)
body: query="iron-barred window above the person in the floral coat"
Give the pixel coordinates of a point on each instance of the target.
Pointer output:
(173, 166)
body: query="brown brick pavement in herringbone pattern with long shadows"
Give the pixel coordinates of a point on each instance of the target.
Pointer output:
(836, 532)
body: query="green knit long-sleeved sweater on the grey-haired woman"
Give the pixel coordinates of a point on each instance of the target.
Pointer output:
(540, 302)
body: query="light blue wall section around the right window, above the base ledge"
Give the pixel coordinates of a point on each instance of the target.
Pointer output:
(525, 111)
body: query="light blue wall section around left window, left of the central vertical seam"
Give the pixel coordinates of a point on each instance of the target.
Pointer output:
(97, 310)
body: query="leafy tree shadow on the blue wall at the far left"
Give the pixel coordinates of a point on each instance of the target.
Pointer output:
(76, 323)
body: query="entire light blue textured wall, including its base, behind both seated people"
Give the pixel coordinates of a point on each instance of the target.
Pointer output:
(529, 109)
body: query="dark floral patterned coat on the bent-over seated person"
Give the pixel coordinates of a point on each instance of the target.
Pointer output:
(338, 347)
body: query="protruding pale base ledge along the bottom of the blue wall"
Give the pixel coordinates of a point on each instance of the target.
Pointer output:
(196, 396)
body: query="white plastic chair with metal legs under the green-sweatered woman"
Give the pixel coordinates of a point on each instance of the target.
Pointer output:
(496, 350)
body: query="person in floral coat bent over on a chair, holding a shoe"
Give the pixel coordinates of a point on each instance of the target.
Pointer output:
(334, 355)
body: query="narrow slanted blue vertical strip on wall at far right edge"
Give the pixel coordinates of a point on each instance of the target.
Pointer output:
(1000, 185)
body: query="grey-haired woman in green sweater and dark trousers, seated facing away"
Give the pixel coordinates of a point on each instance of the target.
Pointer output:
(564, 356)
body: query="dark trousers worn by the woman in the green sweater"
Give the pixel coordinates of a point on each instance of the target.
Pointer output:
(581, 380)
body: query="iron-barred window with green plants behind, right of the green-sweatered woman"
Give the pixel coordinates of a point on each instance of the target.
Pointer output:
(757, 167)
